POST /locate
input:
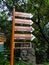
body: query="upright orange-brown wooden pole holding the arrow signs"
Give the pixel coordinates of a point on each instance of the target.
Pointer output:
(12, 41)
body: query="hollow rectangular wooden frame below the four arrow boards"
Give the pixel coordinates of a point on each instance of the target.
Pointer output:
(23, 45)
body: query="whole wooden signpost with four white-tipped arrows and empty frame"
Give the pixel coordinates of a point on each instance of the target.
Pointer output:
(21, 28)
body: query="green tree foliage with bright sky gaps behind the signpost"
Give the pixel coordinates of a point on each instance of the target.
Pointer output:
(40, 10)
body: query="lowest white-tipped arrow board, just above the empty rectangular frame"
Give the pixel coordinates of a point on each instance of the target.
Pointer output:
(24, 37)
